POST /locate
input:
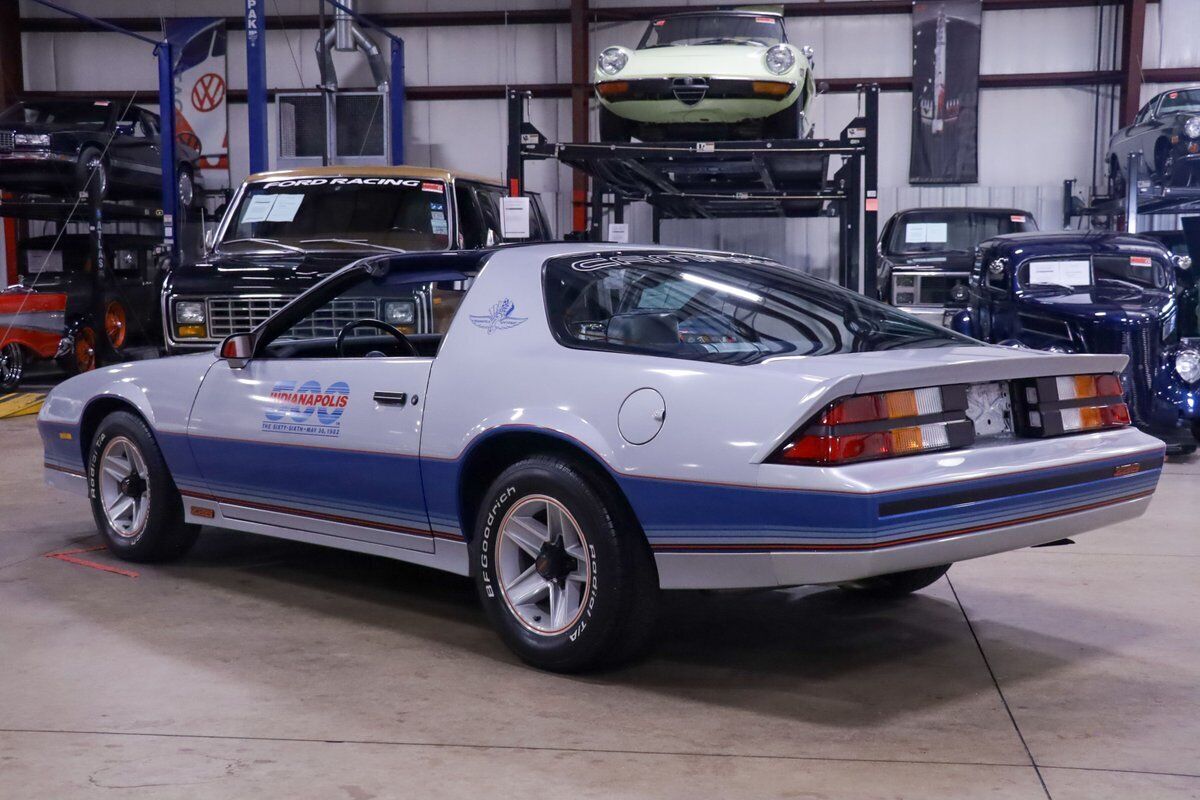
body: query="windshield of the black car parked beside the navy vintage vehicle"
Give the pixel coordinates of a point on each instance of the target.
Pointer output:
(952, 232)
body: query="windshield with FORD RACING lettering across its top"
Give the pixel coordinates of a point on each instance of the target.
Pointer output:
(314, 214)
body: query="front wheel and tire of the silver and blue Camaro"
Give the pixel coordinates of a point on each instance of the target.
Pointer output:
(136, 506)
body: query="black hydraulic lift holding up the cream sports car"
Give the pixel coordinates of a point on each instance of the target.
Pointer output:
(682, 181)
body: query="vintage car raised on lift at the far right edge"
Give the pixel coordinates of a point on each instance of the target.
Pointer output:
(1166, 137)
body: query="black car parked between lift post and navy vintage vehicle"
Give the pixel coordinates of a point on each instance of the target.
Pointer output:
(927, 254)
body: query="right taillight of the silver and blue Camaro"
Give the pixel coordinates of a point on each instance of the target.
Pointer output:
(1052, 407)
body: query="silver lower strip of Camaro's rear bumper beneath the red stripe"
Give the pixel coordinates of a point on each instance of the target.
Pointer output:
(746, 570)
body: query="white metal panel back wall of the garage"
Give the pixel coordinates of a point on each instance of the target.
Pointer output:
(1030, 140)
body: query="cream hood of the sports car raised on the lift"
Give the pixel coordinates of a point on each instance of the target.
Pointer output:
(704, 61)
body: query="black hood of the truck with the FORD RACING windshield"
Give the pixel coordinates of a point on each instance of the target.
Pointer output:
(277, 273)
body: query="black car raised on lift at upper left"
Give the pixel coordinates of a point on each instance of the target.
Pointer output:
(53, 147)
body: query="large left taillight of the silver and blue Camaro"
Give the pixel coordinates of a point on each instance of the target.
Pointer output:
(866, 428)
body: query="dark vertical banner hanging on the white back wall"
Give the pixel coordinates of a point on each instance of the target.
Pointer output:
(945, 92)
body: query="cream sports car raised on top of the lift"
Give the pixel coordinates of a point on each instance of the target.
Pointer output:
(711, 75)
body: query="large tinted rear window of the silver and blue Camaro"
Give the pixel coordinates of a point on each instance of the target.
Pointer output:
(710, 308)
